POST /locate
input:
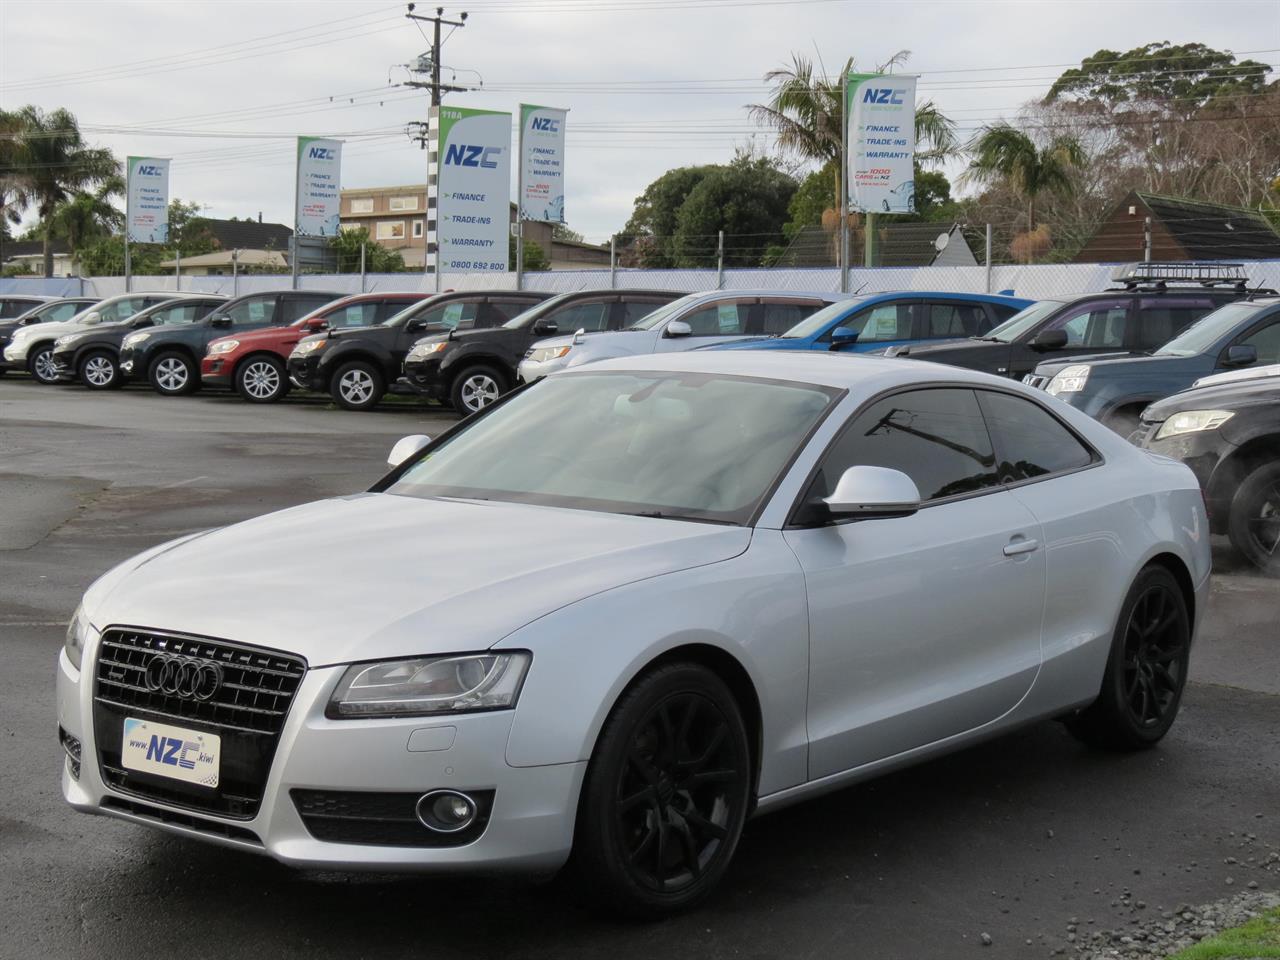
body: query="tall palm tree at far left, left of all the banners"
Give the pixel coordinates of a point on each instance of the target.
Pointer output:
(52, 162)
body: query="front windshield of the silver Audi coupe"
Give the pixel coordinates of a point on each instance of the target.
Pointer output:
(680, 446)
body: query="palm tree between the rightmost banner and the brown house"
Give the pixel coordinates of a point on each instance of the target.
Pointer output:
(1004, 154)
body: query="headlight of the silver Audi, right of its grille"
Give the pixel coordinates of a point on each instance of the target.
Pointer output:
(429, 685)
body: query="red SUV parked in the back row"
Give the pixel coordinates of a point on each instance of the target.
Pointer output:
(254, 363)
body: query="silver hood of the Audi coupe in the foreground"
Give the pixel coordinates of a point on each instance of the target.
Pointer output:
(378, 575)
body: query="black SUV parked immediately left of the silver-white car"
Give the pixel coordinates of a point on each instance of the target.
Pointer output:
(470, 369)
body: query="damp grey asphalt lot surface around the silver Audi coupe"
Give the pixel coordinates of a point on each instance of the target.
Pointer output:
(1014, 840)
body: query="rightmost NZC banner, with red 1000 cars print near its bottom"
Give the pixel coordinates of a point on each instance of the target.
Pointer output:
(881, 152)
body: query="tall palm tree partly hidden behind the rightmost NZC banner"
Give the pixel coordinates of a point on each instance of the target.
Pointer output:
(807, 107)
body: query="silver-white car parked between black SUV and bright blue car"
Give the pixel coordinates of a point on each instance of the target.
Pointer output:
(697, 321)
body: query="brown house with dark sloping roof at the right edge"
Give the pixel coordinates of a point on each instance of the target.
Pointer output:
(1181, 230)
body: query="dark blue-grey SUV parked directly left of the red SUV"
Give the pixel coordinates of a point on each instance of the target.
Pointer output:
(170, 356)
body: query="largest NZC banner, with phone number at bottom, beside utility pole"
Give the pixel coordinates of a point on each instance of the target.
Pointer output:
(474, 190)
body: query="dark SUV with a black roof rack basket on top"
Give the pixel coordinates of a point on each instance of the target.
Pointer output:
(1151, 305)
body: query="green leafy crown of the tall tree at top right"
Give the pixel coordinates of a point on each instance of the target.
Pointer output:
(1188, 75)
